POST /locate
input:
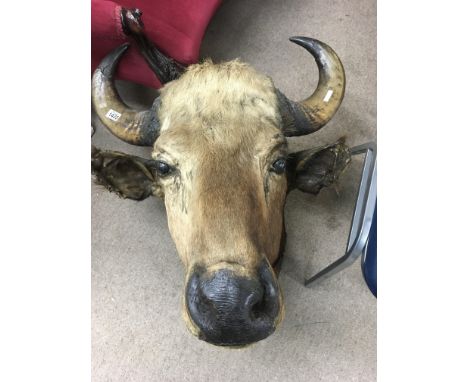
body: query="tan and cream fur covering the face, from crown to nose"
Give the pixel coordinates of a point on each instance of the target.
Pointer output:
(221, 130)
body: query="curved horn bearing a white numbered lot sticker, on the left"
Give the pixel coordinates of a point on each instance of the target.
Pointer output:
(132, 126)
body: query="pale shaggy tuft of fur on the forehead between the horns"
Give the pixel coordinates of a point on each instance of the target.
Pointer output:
(224, 103)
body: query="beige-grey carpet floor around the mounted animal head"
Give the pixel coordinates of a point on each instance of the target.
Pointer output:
(329, 333)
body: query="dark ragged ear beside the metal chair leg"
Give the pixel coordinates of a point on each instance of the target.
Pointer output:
(311, 170)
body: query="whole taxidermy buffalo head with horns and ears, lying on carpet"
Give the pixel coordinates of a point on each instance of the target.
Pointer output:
(220, 162)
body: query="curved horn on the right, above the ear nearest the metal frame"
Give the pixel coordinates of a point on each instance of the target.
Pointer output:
(309, 115)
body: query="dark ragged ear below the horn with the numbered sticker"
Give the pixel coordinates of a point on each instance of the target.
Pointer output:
(128, 176)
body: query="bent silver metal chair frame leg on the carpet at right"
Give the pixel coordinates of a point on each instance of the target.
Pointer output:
(362, 217)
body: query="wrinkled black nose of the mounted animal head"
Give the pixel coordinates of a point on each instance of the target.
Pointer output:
(232, 310)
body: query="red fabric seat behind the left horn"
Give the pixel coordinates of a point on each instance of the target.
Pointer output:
(175, 26)
